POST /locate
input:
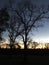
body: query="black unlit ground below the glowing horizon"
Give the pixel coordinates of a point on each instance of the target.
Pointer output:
(24, 57)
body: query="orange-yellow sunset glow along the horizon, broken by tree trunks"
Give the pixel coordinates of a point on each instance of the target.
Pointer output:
(30, 46)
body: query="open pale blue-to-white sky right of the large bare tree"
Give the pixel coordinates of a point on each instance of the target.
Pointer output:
(42, 34)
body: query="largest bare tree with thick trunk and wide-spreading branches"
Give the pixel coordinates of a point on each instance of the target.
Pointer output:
(30, 16)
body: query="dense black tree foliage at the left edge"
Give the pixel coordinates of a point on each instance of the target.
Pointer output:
(4, 17)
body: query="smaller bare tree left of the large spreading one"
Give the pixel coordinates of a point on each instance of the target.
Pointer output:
(14, 29)
